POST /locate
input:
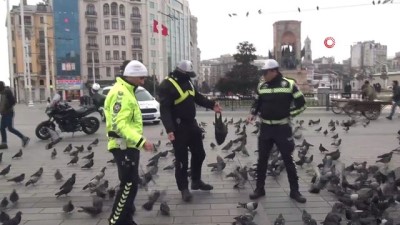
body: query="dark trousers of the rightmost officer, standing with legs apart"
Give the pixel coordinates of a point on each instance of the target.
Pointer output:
(281, 135)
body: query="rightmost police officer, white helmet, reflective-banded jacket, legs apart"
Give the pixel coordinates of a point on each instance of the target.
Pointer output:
(275, 96)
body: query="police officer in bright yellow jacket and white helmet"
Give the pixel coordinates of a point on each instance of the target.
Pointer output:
(125, 138)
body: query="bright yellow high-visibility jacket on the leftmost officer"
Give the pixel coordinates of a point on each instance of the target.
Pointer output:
(124, 123)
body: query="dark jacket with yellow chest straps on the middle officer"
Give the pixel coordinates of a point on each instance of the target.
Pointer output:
(185, 111)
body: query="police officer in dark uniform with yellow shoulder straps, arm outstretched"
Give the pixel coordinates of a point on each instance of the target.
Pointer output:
(178, 111)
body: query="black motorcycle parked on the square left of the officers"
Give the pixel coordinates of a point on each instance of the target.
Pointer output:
(67, 118)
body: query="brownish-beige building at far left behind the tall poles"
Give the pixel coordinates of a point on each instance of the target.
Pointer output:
(34, 21)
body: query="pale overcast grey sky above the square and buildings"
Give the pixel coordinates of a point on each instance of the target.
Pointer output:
(219, 34)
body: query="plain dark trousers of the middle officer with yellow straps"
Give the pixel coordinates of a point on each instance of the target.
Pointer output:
(188, 135)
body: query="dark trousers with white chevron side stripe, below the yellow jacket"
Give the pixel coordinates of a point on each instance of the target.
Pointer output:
(128, 164)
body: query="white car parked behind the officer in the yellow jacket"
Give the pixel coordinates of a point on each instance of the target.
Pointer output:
(148, 104)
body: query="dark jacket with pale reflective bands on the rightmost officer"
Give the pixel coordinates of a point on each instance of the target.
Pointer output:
(278, 99)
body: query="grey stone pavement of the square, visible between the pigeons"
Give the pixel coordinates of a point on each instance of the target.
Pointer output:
(40, 207)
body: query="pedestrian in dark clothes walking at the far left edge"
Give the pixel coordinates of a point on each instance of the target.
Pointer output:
(7, 103)
